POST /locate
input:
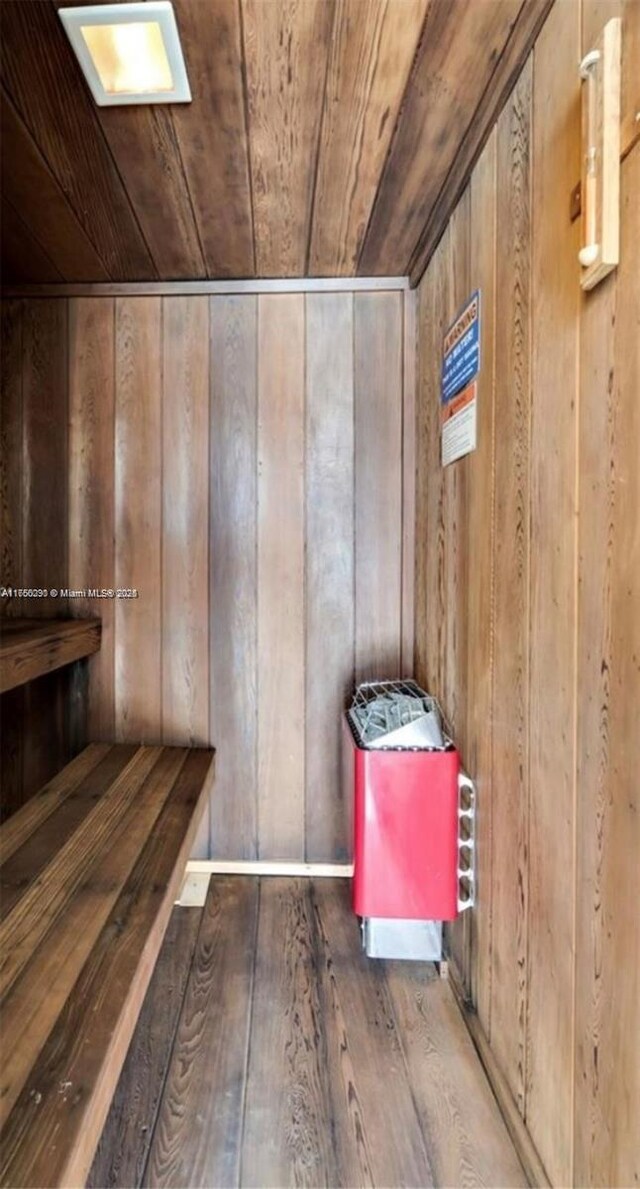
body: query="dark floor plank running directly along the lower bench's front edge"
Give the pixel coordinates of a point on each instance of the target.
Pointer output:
(123, 1152)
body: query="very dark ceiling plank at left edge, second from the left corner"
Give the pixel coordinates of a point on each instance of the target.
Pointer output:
(29, 185)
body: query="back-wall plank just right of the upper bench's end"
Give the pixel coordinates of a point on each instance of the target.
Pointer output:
(139, 518)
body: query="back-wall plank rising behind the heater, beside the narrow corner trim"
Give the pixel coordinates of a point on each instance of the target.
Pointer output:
(379, 485)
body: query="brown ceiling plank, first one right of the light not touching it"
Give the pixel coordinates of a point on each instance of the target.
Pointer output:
(286, 48)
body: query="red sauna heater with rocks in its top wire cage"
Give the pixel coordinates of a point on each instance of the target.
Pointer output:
(413, 821)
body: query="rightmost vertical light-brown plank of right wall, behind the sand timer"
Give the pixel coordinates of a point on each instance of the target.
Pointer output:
(608, 840)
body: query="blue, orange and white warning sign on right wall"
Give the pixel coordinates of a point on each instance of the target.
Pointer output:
(460, 387)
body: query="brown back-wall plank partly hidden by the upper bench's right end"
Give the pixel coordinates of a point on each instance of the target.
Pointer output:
(91, 490)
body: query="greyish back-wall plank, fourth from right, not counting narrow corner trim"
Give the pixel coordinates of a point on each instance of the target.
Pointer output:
(234, 575)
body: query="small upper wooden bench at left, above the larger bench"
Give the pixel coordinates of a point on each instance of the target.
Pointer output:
(29, 649)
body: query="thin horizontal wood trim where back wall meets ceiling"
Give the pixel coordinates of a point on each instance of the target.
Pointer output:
(214, 288)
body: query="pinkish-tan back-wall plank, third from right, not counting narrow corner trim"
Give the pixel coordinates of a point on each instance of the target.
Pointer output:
(281, 577)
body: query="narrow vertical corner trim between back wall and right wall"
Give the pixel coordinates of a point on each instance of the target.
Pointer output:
(410, 349)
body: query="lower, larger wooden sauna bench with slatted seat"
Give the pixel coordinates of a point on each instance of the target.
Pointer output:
(90, 871)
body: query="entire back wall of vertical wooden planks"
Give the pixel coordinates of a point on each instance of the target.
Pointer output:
(212, 467)
